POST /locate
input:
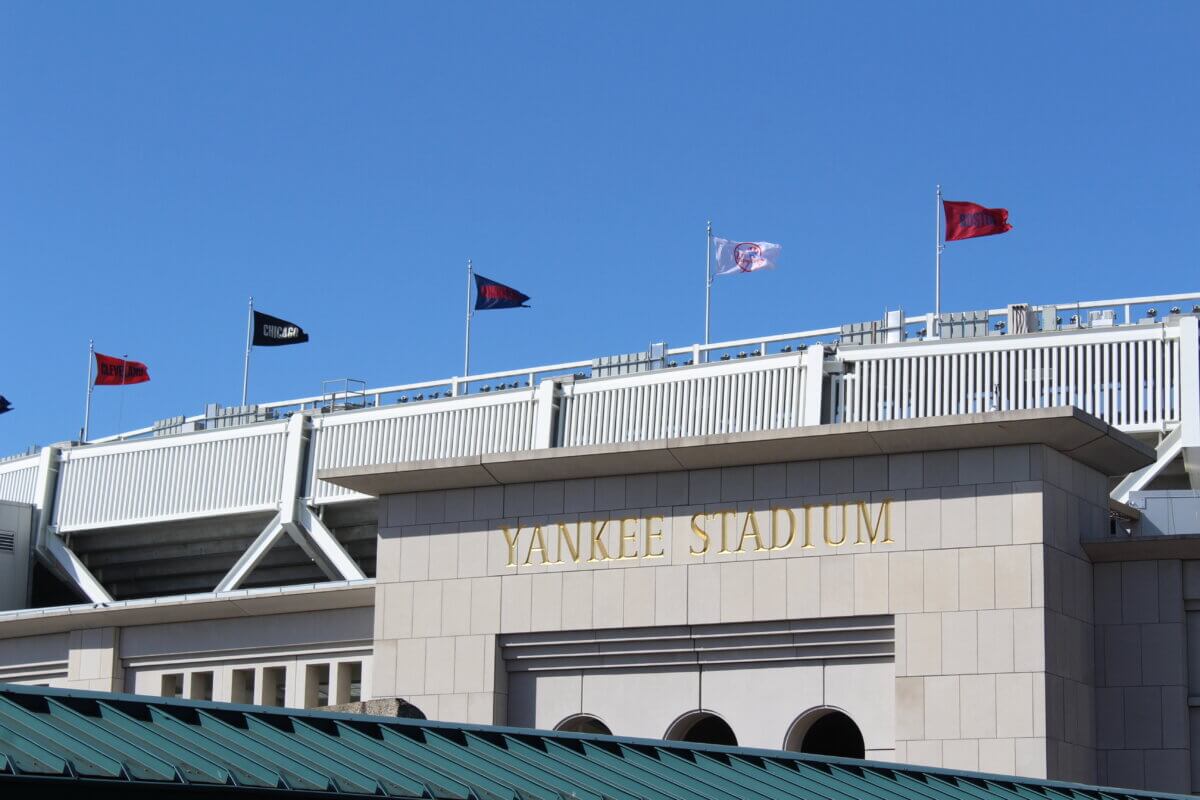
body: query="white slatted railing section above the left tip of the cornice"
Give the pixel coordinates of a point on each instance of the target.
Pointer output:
(447, 429)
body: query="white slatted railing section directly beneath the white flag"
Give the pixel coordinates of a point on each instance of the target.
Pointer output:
(724, 398)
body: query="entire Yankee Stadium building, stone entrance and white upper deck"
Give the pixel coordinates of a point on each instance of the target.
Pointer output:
(980, 551)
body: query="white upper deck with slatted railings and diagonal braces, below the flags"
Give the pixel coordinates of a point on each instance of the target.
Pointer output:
(217, 503)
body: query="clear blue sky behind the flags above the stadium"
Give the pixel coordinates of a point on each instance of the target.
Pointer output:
(160, 163)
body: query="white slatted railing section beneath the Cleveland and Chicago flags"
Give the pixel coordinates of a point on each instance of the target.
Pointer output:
(207, 474)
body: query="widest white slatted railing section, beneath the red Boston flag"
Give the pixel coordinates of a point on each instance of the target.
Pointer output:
(1129, 377)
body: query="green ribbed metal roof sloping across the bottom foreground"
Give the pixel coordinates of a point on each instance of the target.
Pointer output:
(121, 745)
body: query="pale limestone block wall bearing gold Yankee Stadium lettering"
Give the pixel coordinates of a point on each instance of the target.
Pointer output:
(962, 542)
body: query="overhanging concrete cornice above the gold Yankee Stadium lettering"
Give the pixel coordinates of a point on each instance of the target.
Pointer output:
(1067, 430)
